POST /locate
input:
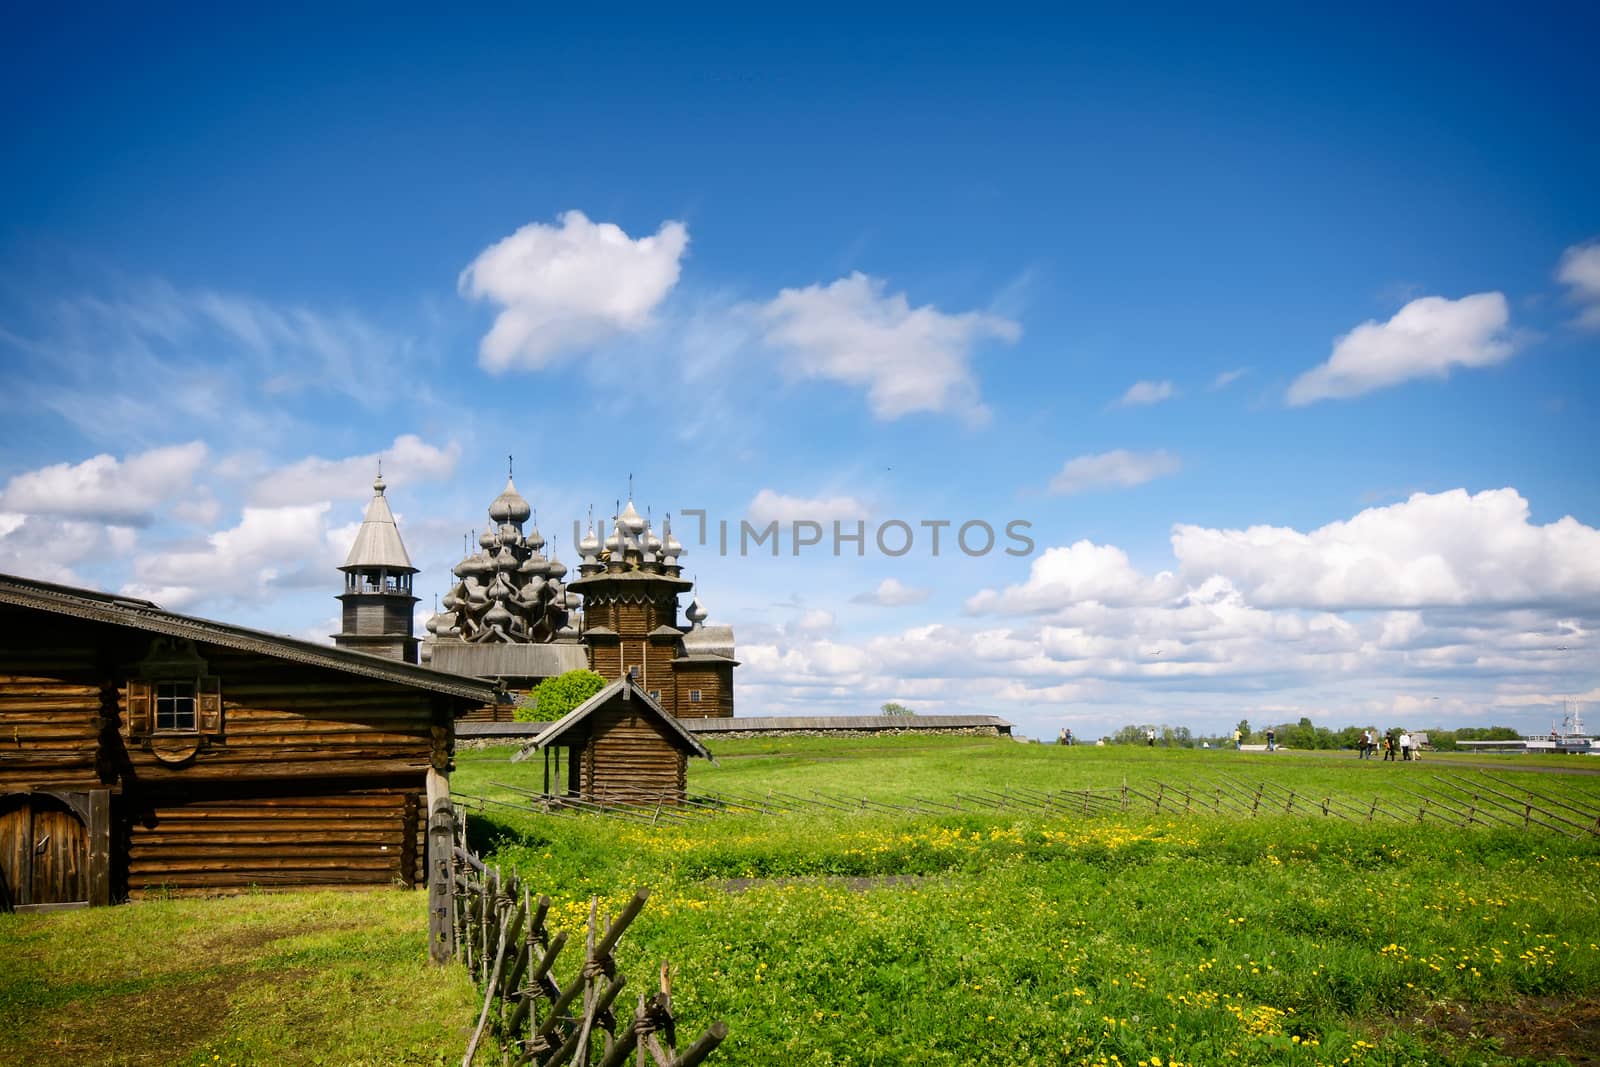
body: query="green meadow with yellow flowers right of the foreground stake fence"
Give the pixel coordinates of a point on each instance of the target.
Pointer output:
(1017, 938)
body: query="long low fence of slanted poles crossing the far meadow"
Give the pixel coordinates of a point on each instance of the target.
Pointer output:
(1462, 801)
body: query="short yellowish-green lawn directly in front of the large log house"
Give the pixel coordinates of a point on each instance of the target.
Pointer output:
(306, 978)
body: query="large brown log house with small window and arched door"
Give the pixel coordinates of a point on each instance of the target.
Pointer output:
(150, 753)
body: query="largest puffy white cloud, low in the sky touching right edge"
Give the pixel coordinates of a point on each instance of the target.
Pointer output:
(1444, 549)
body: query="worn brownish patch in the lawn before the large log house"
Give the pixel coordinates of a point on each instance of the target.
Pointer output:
(156, 1026)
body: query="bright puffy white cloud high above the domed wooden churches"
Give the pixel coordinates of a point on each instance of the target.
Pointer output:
(570, 287)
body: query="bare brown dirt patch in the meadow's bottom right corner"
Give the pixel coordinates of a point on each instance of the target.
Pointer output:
(1534, 1028)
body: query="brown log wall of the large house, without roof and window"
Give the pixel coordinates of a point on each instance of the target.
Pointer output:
(316, 777)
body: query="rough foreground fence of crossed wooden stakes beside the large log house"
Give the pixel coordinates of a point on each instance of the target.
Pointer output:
(498, 930)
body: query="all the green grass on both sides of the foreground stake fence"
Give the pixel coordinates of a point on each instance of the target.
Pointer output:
(878, 938)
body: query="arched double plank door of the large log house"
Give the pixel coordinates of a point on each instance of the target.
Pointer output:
(44, 852)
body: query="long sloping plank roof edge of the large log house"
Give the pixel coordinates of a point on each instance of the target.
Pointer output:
(142, 615)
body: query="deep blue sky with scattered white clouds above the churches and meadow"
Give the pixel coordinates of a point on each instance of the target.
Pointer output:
(1281, 332)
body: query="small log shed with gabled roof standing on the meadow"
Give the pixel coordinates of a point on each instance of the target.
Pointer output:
(620, 748)
